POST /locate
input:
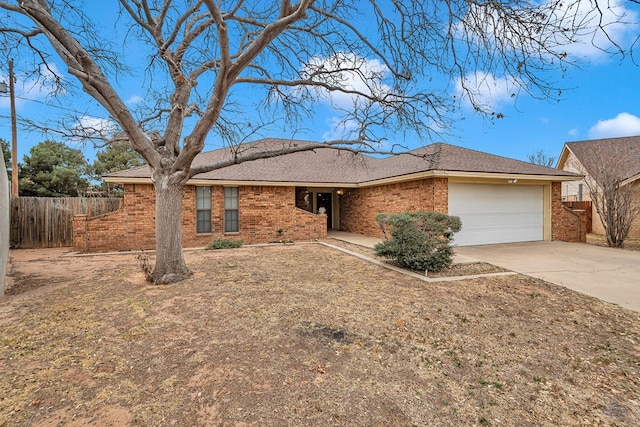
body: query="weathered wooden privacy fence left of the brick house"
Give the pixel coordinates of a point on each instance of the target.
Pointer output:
(45, 222)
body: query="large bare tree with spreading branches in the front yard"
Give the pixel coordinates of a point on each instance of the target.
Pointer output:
(395, 62)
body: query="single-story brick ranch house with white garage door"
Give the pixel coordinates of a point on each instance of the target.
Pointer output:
(299, 196)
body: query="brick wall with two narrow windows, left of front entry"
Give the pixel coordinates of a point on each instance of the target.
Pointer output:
(262, 212)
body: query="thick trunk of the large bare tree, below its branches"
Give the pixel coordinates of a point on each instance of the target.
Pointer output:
(170, 265)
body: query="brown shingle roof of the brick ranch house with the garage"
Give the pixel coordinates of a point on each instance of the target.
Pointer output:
(327, 165)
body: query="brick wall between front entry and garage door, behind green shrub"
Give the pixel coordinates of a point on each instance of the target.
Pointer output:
(359, 207)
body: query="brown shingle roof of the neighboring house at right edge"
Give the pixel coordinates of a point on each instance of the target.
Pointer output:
(620, 153)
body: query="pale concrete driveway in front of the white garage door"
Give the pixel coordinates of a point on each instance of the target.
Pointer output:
(612, 275)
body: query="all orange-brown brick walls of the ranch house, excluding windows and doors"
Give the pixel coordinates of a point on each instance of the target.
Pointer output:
(263, 210)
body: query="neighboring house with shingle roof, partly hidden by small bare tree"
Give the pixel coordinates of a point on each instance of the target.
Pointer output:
(620, 155)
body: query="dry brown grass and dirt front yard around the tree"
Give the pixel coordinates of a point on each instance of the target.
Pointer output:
(306, 335)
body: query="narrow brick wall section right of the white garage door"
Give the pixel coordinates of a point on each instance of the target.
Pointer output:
(566, 225)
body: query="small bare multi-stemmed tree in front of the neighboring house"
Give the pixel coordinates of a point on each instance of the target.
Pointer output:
(615, 197)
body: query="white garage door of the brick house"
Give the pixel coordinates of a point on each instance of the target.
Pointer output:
(497, 213)
